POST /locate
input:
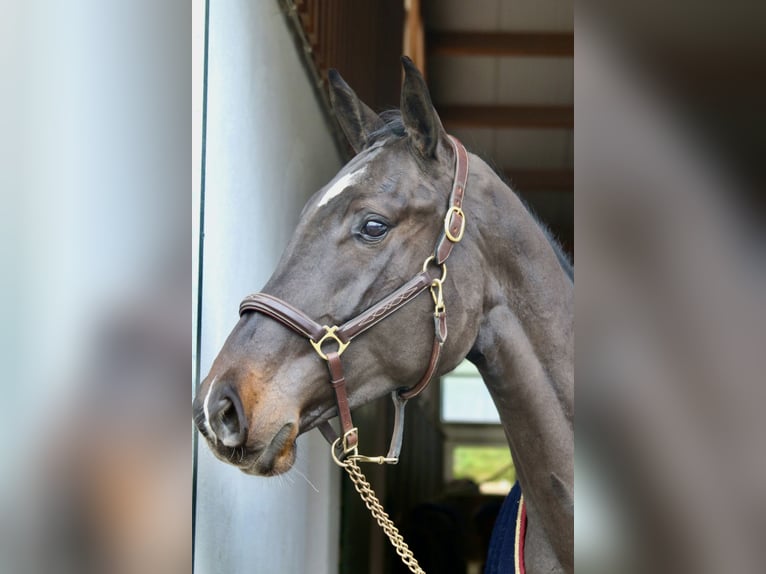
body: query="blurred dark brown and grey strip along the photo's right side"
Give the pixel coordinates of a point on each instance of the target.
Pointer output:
(670, 283)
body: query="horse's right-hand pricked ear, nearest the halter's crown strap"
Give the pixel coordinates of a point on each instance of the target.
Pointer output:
(418, 114)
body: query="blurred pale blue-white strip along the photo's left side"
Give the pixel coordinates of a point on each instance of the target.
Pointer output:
(94, 309)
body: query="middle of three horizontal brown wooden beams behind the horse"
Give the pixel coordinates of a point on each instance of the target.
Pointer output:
(507, 116)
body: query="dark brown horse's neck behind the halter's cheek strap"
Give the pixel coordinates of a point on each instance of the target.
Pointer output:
(524, 351)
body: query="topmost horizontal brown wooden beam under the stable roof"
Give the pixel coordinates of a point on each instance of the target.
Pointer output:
(444, 43)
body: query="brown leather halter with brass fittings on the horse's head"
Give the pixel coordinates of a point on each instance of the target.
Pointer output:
(318, 335)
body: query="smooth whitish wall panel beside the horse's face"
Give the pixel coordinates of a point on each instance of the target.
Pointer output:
(268, 149)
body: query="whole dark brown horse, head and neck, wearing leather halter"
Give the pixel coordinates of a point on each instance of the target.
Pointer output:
(361, 257)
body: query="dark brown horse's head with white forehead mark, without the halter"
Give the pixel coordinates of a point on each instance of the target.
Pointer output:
(362, 236)
